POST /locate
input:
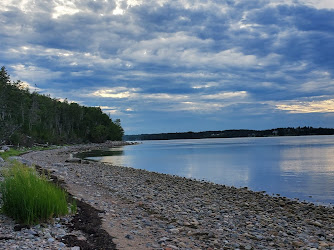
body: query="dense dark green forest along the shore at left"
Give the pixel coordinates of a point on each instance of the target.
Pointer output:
(29, 117)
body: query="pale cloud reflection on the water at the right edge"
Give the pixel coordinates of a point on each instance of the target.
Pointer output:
(309, 171)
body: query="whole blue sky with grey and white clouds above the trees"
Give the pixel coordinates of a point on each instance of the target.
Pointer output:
(178, 65)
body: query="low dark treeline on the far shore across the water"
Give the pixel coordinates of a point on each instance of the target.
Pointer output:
(299, 131)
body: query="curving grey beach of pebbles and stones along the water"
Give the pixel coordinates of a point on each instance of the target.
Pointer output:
(146, 210)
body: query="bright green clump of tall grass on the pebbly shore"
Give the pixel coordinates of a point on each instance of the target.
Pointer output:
(29, 198)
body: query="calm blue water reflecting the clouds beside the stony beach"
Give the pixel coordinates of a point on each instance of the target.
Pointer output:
(296, 167)
